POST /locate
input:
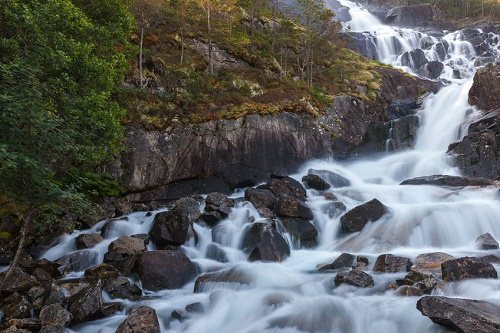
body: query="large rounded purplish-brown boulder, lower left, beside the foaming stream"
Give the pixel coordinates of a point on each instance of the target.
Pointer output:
(165, 269)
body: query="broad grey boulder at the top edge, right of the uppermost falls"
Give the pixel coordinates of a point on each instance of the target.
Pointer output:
(411, 16)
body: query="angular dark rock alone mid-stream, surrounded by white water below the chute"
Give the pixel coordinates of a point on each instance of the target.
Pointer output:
(355, 219)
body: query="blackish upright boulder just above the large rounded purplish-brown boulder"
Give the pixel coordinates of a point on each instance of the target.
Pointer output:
(170, 228)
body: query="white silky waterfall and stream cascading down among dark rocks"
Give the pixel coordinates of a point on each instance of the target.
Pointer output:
(422, 219)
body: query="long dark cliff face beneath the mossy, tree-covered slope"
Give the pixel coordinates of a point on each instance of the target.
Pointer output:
(229, 153)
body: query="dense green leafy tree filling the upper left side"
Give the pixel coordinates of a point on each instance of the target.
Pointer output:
(60, 61)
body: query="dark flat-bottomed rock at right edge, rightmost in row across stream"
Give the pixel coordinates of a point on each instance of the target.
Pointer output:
(467, 268)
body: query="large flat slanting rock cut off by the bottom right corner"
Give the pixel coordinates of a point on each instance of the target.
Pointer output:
(461, 315)
